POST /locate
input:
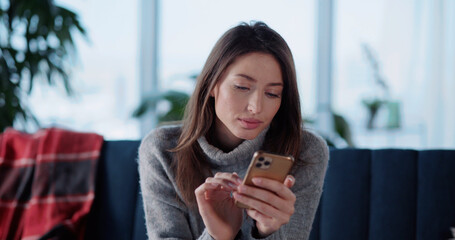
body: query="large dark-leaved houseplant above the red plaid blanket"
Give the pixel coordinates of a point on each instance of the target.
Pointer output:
(36, 42)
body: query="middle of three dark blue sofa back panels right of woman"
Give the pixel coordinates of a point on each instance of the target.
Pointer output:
(393, 194)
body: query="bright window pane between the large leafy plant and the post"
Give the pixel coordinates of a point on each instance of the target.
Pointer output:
(105, 76)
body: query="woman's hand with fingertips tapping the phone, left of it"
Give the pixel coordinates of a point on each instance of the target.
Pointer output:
(221, 216)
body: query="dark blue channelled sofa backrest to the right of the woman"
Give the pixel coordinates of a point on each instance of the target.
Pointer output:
(387, 194)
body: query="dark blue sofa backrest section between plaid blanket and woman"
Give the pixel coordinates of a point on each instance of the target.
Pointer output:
(117, 211)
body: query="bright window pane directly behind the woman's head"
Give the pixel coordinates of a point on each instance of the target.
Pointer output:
(189, 30)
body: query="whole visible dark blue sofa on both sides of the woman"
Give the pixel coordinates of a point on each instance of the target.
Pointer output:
(368, 194)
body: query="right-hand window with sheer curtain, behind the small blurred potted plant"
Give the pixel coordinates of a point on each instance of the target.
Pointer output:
(412, 42)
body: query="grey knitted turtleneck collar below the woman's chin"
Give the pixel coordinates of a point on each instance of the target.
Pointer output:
(239, 155)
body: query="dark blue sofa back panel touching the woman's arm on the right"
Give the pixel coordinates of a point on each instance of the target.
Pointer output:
(345, 202)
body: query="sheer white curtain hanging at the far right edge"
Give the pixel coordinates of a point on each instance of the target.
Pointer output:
(434, 70)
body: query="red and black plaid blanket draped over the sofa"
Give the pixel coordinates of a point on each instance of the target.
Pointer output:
(47, 183)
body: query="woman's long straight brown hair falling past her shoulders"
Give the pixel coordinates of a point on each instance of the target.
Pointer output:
(284, 133)
